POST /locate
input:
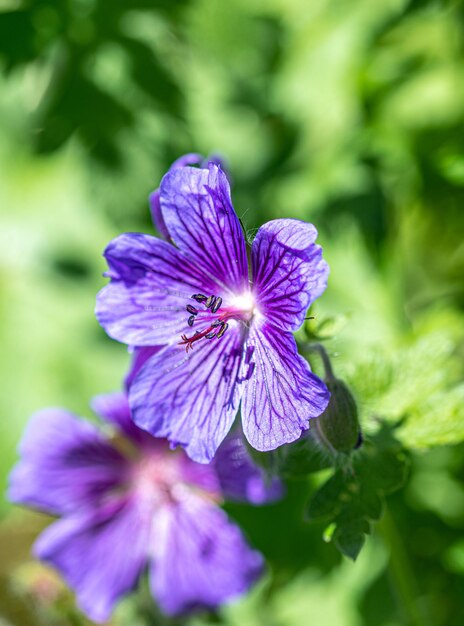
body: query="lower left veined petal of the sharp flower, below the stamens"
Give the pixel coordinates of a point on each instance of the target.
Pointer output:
(191, 398)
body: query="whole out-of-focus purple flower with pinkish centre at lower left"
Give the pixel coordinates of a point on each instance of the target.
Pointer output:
(128, 502)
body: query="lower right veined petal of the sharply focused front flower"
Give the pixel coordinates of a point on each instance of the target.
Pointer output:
(282, 395)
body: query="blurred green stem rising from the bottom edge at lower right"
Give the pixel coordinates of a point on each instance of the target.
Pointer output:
(401, 574)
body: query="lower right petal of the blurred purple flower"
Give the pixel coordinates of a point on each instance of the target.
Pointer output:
(201, 559)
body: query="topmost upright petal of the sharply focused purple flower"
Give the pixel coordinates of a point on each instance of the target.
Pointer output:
(200, 218)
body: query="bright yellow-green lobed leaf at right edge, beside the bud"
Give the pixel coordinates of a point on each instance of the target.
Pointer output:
(418, 387)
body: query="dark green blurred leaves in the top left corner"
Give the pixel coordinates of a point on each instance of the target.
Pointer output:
(70, 39)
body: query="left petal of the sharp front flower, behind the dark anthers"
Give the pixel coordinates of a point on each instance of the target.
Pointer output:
(151, 284)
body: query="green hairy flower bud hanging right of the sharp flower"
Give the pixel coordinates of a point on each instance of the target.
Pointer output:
(338, 427)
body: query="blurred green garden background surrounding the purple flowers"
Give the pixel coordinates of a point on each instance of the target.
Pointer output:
(347, 113)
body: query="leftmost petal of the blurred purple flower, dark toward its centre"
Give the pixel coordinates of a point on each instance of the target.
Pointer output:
(65, 463)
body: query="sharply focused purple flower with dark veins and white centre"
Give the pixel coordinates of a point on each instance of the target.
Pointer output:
(223, 330)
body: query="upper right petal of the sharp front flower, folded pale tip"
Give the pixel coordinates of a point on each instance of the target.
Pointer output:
(288, 271)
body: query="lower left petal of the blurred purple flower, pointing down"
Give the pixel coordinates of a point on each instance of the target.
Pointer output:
(100, 553)
